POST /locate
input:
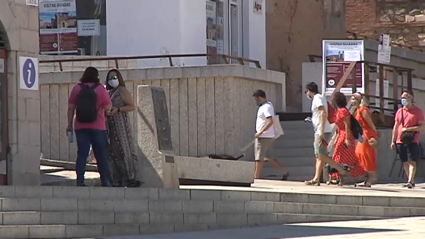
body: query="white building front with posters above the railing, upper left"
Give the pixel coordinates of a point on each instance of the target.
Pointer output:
(154, 27)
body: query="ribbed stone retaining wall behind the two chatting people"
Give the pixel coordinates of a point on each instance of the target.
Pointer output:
(211, 108)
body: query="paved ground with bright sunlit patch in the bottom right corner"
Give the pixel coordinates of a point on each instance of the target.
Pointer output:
(404, 228)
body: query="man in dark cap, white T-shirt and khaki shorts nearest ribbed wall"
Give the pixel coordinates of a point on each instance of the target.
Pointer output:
(265, 135)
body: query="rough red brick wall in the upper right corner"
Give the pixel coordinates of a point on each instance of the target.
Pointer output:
(403, 20)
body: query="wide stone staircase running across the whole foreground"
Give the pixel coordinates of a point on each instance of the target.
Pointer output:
(71, 212)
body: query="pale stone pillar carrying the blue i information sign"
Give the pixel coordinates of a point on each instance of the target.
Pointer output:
(22, 31)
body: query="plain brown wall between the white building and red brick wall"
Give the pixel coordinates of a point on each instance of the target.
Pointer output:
(295, 29)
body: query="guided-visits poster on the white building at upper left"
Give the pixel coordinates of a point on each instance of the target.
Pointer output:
(58, 26)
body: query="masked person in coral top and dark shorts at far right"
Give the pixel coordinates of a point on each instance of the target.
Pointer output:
(409, 121)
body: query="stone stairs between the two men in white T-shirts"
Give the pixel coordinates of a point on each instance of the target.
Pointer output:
(294, 150)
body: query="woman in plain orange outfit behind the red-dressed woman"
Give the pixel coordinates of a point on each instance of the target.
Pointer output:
(364, 151)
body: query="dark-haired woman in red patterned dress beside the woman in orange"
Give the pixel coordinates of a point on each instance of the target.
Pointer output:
(345, 144)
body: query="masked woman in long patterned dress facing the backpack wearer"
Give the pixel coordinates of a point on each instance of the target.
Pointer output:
(121, 148)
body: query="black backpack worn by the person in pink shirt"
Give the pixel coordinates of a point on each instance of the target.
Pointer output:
(86, 110)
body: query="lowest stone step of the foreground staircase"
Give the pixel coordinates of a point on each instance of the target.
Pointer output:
(225, 222)
